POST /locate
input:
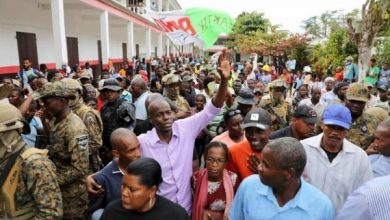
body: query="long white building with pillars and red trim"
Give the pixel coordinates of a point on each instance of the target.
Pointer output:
(58, 32)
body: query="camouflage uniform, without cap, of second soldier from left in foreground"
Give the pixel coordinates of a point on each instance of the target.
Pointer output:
(69, 152)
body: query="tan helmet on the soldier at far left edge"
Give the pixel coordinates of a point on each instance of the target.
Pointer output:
(10, 117)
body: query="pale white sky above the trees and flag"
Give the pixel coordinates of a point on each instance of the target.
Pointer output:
(288, 13)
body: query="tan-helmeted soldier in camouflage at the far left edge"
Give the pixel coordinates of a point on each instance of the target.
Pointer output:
(35, 194)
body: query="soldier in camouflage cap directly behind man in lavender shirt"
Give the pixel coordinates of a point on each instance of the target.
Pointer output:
(171, 83)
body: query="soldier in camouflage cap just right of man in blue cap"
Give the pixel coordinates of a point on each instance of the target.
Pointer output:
(363, 124)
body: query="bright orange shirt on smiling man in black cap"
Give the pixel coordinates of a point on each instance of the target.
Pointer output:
(238, 159)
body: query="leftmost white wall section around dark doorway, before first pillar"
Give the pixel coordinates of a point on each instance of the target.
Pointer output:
(24, 16)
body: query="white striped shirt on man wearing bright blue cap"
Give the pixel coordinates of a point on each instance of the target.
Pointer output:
(348, 170)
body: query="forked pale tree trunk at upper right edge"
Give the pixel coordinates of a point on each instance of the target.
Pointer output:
(373, 17)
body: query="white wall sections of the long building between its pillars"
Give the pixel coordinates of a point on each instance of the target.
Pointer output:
(32, 17)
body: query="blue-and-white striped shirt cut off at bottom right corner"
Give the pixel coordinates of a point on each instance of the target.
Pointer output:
(370, 201)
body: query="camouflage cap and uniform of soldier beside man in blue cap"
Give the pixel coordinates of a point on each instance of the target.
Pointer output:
(362, 128)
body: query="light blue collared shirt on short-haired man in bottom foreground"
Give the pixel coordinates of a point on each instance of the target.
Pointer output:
(254, 200)
